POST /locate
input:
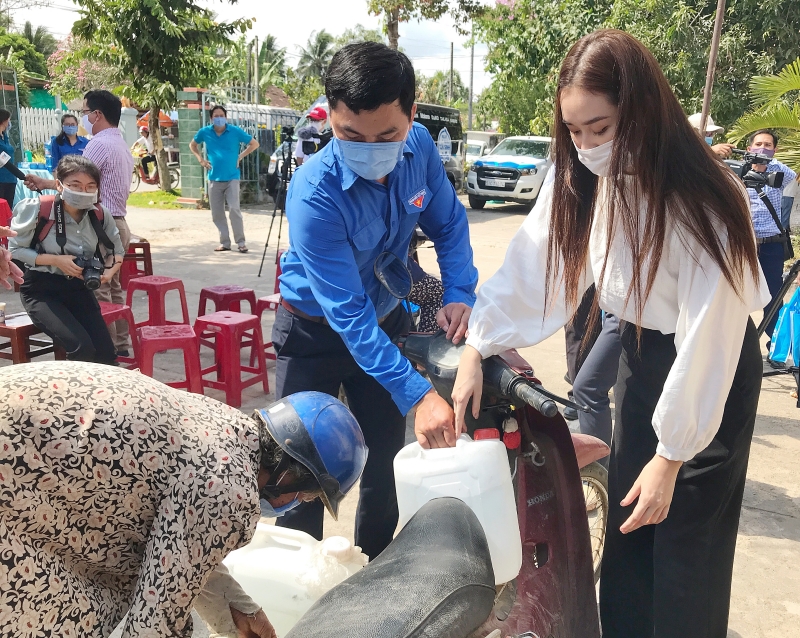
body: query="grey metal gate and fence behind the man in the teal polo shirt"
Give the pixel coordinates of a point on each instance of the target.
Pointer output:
(260, 121)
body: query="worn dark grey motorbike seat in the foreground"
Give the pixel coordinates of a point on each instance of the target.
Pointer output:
(435, 580)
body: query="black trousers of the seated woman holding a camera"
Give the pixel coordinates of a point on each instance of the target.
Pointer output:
(69, 314)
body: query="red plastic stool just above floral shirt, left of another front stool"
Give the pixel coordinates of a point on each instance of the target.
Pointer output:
(154, 339)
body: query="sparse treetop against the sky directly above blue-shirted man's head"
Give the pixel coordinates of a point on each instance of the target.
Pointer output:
(397, 11)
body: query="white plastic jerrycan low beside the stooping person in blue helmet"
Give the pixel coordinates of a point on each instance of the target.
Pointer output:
(286, 571)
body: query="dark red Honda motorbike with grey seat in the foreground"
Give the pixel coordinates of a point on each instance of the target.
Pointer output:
(435, 578)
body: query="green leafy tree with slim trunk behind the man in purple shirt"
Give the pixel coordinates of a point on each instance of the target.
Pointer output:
(158, 46)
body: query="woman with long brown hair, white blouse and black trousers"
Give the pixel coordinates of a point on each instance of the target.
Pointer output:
(640, 207)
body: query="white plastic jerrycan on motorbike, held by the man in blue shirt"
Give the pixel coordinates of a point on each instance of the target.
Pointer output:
(476, 472)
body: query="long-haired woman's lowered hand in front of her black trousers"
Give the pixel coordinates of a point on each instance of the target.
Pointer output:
(654, 488)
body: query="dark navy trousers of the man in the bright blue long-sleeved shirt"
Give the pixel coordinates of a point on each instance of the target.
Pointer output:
(312, 356)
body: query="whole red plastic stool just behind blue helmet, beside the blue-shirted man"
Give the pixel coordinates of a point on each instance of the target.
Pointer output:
(231, 331)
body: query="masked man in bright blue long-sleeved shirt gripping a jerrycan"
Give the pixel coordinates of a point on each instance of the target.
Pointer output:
(361, 196)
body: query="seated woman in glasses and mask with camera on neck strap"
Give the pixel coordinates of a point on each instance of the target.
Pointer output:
(59, 260)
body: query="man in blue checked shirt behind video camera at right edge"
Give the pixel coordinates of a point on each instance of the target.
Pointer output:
(768, 235)
